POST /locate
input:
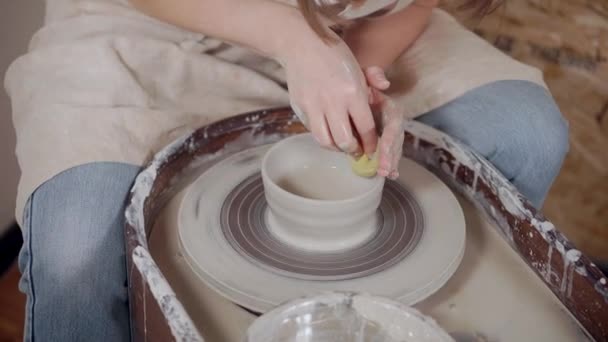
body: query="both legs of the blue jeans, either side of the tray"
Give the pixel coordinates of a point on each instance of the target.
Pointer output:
(73, 258)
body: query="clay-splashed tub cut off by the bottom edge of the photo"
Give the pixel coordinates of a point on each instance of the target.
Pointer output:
(345, 317)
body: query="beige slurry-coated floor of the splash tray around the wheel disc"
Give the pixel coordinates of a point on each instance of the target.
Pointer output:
(470, 306)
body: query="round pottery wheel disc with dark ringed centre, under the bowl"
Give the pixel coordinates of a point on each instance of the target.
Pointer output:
(225, 237)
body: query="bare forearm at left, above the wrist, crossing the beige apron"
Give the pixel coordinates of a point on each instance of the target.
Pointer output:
(265, 26)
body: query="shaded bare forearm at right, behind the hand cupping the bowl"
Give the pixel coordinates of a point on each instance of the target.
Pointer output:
(380, 42)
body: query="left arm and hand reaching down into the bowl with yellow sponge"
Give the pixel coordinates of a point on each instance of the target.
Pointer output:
(325, 81)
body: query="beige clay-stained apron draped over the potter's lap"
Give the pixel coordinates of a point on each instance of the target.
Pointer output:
(102, 82)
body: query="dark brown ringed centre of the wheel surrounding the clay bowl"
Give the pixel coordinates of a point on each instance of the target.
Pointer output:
(244, 224)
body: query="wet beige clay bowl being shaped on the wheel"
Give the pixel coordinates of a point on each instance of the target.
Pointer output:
(316, 201)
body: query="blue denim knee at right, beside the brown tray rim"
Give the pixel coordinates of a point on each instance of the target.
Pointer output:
(517, 126)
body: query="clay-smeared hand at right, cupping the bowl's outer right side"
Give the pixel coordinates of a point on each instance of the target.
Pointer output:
(390, 119)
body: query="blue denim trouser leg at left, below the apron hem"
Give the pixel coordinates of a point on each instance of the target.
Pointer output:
(73, 257)
